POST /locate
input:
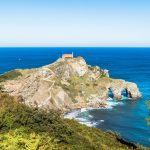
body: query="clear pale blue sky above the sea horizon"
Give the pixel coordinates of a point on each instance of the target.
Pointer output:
(75, 23)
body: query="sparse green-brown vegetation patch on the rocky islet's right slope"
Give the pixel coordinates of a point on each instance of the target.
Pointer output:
(86, 87)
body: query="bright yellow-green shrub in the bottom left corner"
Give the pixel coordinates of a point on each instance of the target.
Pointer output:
(20, 139)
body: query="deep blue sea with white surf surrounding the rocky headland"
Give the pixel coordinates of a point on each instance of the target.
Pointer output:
(125, 117)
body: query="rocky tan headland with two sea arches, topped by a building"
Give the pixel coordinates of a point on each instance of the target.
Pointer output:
(65, 85)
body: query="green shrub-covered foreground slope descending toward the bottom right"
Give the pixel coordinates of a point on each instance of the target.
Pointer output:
(26, 128)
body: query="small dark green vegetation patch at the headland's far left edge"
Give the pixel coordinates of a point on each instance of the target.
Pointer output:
(10, 75)
